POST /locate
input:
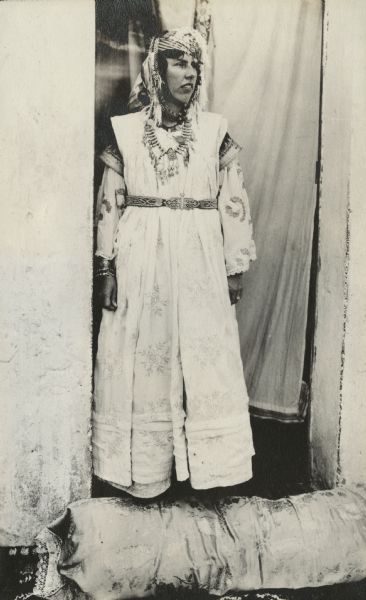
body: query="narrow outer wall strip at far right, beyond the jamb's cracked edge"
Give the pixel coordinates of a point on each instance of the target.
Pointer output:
(352, 442)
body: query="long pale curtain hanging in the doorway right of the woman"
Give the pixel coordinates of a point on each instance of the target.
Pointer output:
(266, 80)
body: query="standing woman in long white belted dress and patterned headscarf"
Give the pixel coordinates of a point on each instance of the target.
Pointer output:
(174, 238)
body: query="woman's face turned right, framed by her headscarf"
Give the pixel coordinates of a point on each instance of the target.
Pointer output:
(181, 78)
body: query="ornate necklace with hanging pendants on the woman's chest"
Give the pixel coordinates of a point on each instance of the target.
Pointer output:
(165, 146)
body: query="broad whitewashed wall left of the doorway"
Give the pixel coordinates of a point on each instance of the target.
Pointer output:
(46, 158)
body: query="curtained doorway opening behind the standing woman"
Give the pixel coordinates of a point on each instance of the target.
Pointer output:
(280, 424)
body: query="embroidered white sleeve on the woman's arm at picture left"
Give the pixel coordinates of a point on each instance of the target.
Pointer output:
(110, 204)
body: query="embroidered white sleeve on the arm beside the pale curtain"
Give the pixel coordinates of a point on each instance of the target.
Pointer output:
(239, 248)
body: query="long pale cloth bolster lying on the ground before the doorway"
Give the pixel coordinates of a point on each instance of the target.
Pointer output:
(113, 549)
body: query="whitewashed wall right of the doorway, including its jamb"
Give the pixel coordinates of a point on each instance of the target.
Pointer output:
(338, 402)
